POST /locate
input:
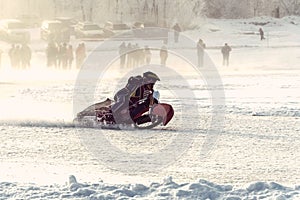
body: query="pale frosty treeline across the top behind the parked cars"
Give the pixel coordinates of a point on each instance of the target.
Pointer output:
(159, 11)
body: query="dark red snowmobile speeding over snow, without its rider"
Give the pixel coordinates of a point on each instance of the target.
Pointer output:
(101, 115)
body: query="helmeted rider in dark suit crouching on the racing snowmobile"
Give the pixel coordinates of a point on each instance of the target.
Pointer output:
(135, 99)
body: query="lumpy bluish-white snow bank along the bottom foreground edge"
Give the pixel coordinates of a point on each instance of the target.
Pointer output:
(168, 189)
